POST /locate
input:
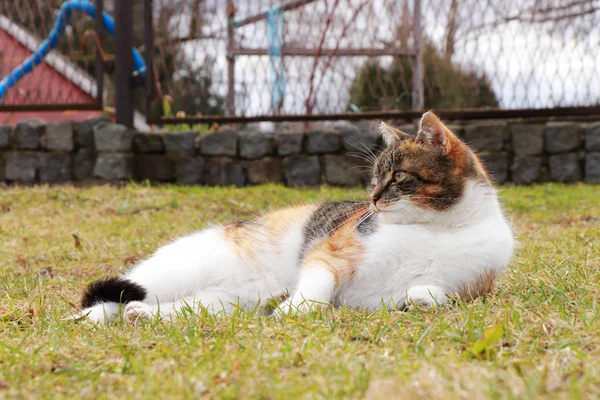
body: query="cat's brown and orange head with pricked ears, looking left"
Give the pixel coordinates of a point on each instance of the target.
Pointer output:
(425, 172)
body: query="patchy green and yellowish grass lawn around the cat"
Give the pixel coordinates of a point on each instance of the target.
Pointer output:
(538, 335)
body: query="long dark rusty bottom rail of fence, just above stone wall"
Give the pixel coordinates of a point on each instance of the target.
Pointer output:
(585, 112)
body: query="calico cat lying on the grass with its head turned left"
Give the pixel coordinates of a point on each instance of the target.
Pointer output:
(432, 230)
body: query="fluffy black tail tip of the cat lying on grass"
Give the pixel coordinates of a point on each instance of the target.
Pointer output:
(116, 290)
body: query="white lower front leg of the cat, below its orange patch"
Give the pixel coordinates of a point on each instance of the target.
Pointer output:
(315, 287)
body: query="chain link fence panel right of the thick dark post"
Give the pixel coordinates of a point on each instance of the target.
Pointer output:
(273, 58)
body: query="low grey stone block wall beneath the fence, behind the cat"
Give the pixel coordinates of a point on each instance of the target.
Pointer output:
(337, 154)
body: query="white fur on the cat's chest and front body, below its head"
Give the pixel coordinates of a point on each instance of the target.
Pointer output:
(447, 255)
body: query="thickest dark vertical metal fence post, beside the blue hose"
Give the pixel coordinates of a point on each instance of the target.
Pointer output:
(124, 62)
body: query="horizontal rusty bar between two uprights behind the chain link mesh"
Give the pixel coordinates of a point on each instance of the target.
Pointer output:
(305, 52)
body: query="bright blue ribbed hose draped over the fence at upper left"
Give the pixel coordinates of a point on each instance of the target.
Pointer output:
(64, 16)
